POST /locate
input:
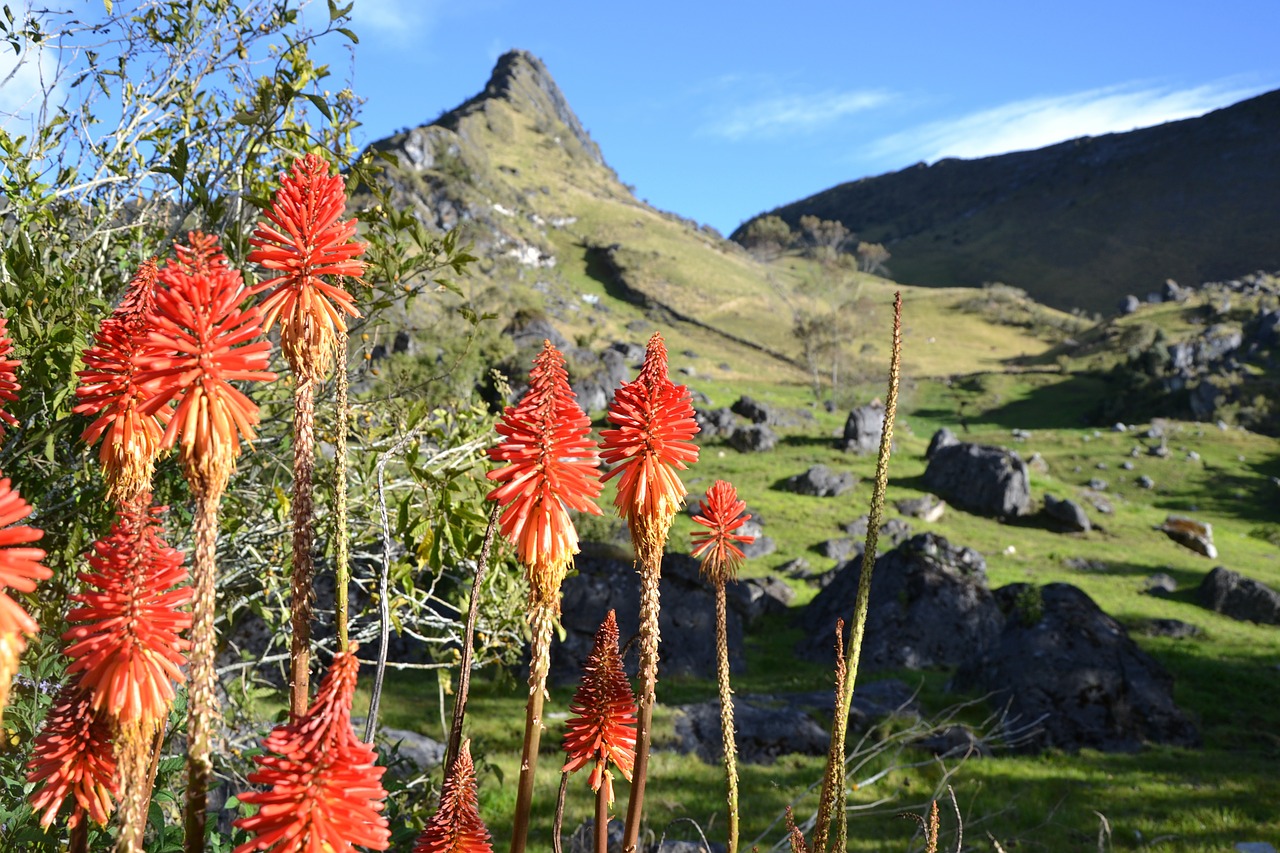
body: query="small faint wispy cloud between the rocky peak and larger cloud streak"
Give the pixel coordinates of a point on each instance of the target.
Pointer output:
(792, 115)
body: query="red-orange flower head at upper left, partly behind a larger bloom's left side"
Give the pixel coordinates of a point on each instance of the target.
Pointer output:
(111, 394)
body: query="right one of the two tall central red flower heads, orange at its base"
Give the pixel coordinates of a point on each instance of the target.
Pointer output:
(653, 439)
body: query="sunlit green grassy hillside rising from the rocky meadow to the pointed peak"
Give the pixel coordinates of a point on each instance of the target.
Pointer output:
(515, 170)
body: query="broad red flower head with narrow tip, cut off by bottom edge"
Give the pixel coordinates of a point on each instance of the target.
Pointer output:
(326, 788)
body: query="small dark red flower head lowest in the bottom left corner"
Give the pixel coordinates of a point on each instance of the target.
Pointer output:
(74, 756)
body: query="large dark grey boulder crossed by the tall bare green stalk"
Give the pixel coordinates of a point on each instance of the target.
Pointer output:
(930, 606)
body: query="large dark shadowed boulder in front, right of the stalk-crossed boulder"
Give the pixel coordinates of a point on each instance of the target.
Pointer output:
(1073, 673)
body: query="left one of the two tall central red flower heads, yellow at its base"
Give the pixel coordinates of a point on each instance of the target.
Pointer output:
(552, 468)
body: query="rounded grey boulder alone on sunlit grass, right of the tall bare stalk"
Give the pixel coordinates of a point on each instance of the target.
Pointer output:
(986, 481)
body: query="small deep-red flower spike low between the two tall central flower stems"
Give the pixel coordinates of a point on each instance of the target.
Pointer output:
(605, 729)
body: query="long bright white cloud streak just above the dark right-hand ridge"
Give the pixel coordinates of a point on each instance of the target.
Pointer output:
(1037, 122)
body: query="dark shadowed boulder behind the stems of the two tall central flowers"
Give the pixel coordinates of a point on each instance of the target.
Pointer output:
(609, 581)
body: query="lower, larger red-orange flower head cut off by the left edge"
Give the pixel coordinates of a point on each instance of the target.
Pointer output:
(20, 569)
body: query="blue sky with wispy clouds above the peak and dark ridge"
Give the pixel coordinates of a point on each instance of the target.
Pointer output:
(720, 111)
